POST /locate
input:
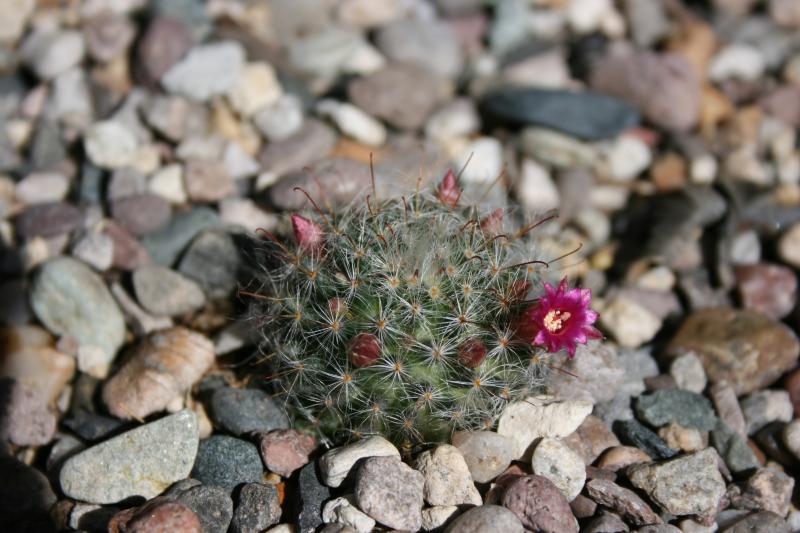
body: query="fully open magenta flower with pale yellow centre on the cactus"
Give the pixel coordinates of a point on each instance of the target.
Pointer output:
(560, 320)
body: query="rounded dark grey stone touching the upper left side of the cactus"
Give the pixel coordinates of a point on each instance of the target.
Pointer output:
(213, 260)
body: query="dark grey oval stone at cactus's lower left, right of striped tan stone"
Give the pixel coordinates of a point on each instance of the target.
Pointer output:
(243, 411)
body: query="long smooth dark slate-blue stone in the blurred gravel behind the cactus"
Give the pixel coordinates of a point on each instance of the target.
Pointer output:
(585, 115)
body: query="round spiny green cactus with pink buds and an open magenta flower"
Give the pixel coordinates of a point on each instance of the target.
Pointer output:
(409, 317)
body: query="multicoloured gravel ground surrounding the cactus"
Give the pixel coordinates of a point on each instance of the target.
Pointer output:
(141, 142)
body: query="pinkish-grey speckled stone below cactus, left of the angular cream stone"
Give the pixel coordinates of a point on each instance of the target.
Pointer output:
(390, 492)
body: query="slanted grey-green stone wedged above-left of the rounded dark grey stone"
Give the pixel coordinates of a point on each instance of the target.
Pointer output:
(166, 244)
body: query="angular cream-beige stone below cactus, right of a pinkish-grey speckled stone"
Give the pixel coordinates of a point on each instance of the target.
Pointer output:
(447, 477)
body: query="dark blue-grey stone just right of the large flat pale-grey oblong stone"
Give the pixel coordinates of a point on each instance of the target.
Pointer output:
(227, 462)
